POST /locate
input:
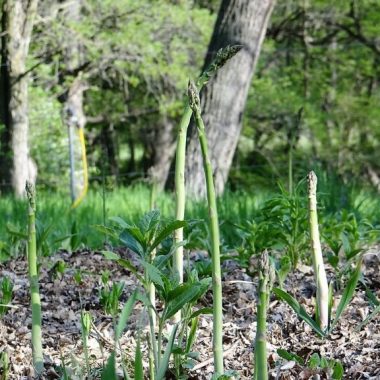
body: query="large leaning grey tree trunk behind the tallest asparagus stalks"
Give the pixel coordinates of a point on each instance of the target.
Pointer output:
(241, 22)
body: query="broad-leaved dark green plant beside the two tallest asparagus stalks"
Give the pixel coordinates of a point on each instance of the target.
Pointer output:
(149, 234)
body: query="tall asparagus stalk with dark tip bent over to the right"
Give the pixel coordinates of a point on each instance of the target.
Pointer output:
(221, 58)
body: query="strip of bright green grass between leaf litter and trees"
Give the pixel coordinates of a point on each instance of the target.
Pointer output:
(132, 202)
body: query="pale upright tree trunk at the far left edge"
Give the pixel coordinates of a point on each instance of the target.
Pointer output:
(17, 24)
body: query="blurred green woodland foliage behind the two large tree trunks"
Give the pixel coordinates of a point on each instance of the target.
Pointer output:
(313, 100)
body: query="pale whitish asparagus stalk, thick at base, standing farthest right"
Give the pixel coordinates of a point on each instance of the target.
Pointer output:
(319, 268)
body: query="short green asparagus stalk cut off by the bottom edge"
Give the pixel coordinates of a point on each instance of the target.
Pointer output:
(267, 276)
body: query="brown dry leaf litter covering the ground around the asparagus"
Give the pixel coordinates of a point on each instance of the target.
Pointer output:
(359, 352)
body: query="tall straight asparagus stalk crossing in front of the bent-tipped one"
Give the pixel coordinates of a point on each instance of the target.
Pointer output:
(195, 105)
